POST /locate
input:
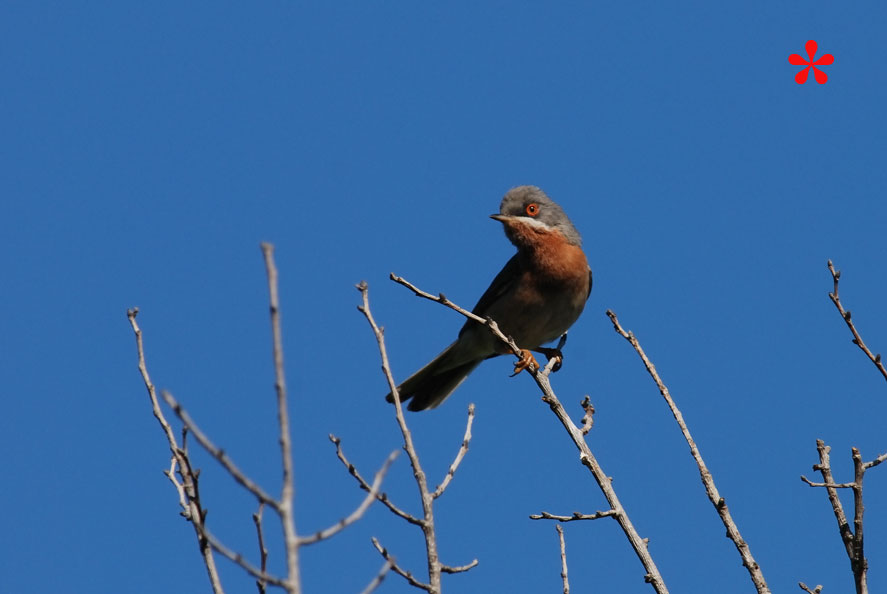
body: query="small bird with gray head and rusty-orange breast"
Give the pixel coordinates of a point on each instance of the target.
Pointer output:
(539, 293)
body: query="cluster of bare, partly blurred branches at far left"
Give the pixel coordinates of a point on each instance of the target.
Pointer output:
(185, 477)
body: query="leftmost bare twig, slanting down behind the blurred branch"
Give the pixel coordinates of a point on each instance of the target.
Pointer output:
(187, 489)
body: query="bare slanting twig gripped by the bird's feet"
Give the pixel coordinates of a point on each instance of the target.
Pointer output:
(585, 455)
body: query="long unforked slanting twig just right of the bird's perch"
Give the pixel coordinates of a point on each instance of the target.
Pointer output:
(720, 504)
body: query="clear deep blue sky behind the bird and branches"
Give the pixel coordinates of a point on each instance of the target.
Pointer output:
(146, 151)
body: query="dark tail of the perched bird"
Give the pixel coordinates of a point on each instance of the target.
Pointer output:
(430, 386)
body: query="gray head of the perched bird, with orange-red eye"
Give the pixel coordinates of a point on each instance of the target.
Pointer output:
(529, 205)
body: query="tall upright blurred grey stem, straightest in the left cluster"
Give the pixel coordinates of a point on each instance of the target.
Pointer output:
(285, 505)
